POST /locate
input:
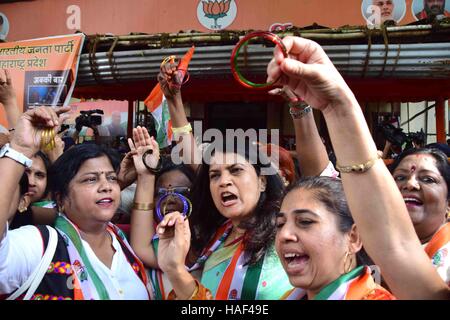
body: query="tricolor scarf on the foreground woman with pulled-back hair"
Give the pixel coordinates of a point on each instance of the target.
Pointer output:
(358, 284)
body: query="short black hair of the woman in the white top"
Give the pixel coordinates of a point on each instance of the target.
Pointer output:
(67, 165)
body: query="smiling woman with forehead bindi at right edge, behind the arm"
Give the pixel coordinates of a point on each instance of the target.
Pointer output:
(423, 178)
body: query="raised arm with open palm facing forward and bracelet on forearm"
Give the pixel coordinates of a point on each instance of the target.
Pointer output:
(143, 147)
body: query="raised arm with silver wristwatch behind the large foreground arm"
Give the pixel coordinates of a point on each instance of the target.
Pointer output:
(311, 152)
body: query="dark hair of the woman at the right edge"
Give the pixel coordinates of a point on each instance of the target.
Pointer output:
(441, 162)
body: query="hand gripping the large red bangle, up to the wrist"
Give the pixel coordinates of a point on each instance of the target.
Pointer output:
(309, 73)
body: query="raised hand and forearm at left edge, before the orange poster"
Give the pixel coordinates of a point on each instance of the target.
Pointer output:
(8, 98)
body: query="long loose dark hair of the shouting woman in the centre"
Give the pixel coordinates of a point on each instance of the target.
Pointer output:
(260, 225)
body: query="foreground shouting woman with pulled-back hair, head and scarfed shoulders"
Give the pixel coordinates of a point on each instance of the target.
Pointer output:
(319, 246)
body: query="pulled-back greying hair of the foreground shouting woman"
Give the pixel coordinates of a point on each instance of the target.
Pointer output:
(330, 193)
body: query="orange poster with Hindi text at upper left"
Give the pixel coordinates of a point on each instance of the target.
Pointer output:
(43, 71)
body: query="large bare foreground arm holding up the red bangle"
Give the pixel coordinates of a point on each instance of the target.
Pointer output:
(373, 197)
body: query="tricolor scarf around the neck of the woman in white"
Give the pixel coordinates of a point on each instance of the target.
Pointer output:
(87, 284)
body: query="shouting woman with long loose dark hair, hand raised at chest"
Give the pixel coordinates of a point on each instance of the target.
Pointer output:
(232, 233)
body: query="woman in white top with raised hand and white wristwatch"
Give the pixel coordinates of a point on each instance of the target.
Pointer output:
(84, 256)
